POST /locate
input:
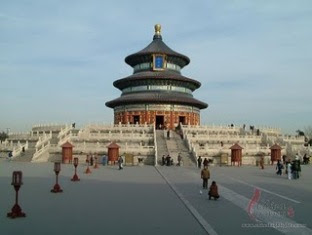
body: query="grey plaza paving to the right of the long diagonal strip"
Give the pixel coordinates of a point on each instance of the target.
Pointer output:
(237, 187)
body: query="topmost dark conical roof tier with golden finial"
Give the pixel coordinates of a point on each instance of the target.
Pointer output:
(157, 46)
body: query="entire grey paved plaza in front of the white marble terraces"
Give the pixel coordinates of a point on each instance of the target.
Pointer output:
(149, 200)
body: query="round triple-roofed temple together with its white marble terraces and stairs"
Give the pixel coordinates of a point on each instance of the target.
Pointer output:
(155, 95)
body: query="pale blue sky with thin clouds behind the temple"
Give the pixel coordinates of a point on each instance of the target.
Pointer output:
(59, 59)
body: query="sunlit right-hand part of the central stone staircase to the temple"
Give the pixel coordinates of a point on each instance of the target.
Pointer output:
(176, 146)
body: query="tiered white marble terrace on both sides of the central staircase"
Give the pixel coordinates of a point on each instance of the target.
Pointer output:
(43, 143)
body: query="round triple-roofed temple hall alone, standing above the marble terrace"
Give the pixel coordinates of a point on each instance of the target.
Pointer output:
(157, 93)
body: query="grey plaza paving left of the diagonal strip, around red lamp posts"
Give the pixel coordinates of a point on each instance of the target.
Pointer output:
(135, 200)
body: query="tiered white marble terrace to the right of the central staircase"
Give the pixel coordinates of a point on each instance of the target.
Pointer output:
(214, 141)
